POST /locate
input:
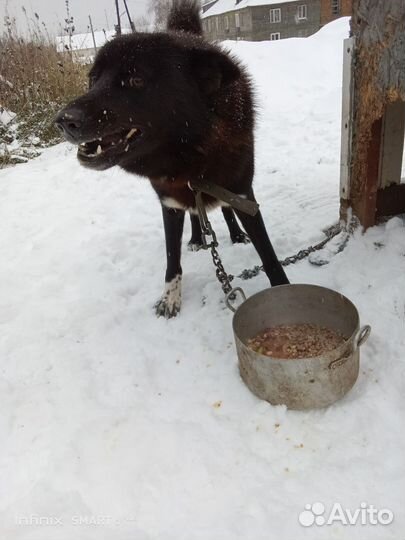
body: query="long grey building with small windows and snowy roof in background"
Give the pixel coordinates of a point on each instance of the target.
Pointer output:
(259, 20)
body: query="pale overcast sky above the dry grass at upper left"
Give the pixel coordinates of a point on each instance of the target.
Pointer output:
(53, 12)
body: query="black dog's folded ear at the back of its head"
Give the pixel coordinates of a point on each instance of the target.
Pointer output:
(213, 69)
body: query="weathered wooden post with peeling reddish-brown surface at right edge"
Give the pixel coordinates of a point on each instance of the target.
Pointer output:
(377, 111)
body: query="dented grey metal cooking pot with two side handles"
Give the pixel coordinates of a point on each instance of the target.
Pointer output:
(304, 383)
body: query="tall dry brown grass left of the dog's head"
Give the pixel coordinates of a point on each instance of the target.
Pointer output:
(36, 80)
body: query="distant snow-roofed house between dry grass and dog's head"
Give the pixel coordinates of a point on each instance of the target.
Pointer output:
(82, 46)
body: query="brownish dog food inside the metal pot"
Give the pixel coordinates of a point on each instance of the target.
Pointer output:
(296, 341)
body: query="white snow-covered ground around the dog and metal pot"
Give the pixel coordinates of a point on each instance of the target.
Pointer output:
(117, 425)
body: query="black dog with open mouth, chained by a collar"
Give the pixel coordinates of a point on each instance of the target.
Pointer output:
(173, 108)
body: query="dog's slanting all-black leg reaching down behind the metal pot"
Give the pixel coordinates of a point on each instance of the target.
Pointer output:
(254, 226)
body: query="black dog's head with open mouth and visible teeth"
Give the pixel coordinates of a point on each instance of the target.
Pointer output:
(149, 95)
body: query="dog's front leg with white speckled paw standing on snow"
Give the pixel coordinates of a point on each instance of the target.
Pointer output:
(170, 303)
